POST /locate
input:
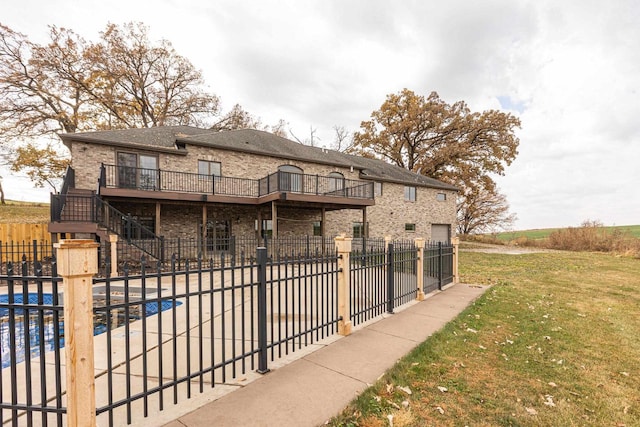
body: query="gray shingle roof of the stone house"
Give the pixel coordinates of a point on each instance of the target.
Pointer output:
(254, 141)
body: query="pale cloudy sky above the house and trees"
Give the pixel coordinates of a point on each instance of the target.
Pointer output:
(570, 70)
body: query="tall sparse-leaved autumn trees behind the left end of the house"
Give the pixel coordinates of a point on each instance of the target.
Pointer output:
(121, 81)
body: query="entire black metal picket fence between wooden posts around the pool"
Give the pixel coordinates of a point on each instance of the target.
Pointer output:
(161, 335)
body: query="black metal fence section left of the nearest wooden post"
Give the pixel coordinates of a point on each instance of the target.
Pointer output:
(31, 339)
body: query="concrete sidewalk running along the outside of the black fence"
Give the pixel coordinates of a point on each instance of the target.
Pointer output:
(314, 388)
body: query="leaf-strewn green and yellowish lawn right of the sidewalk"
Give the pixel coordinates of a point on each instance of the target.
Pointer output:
(553, 342)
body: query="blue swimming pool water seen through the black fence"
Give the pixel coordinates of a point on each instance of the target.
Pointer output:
(48, 330)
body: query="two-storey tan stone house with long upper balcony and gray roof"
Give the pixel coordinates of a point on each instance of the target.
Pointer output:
(182, 181)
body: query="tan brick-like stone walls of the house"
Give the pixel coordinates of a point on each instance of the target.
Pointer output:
(391, 215)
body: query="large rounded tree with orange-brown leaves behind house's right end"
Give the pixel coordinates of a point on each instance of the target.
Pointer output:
(443, 141)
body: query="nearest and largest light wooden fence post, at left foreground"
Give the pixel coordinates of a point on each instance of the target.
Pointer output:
(77, 264)
